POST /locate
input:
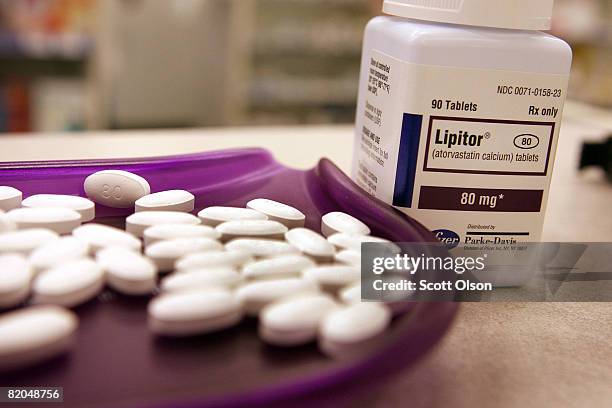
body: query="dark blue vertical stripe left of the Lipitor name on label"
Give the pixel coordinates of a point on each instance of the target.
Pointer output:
(407, 160)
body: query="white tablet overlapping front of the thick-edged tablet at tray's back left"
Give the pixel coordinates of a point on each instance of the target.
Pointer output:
(60, 220)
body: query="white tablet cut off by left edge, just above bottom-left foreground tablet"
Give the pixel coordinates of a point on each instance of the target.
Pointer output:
(15, 277)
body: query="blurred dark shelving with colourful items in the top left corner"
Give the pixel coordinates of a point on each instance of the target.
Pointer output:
(44, 51)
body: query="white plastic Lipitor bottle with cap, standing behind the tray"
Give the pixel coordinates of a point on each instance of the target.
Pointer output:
(458, 116)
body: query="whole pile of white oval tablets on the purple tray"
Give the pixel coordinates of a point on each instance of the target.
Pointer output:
(206, 272)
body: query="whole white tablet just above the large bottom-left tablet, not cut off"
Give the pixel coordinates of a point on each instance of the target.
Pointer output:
(69, 284)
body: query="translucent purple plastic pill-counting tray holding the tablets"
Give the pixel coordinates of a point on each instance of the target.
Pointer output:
(117, 362)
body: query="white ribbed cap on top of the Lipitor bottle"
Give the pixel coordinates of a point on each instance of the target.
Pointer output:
(512, 14)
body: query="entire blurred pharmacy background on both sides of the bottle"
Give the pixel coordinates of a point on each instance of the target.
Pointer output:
(124, 64)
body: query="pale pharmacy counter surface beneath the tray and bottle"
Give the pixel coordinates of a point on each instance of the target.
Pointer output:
(496, 355)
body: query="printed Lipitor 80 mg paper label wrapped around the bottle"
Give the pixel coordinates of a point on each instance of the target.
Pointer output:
(467, 152)
